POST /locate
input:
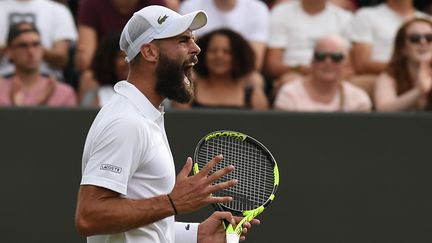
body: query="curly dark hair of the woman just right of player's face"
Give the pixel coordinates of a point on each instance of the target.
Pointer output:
(243, 56)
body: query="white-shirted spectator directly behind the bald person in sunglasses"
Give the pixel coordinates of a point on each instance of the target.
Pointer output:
(295, 27)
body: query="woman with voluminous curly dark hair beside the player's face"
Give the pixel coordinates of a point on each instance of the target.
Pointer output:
(225, 75)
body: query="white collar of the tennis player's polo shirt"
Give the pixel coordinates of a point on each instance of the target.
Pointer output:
(139, 100)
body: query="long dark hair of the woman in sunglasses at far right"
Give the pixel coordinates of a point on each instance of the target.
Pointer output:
(398, 64)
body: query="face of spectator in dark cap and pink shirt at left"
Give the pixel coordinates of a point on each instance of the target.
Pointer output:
(26, 52)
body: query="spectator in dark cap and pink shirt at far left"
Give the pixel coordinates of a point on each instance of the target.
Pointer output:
(27, 86)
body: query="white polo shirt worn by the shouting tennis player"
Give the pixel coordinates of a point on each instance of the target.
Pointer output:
(127, 151)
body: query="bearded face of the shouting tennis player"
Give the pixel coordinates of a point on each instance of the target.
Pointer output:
(174, 70)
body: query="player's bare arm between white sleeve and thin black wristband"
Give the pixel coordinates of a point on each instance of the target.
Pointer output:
(114, 214)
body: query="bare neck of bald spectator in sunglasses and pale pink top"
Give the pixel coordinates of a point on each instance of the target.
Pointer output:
(320, 90)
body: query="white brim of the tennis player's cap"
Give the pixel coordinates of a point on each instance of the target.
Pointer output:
(193, 21)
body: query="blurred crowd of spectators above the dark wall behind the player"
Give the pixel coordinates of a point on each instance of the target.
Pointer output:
(286, 55)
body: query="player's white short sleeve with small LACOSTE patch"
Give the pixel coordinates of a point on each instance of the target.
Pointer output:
(115, 155)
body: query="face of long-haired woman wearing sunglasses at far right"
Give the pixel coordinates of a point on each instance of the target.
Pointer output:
(418, 42)
